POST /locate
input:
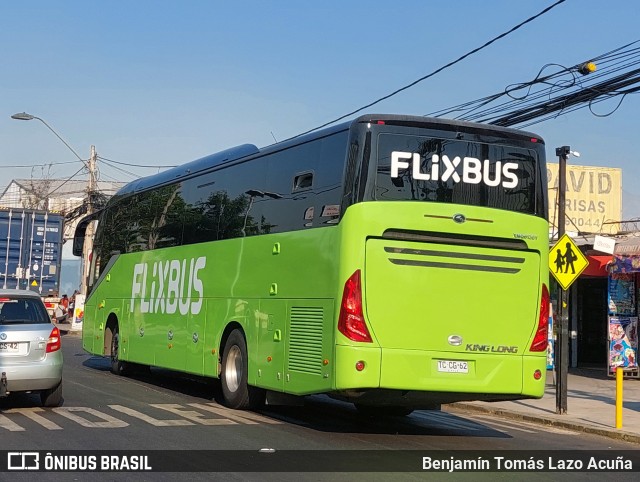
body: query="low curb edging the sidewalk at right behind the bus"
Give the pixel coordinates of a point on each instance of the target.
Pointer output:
(567, 424)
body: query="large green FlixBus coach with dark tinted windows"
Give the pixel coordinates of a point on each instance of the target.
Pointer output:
(396, 262)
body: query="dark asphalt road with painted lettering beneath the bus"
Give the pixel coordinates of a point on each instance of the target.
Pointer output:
(163, 410)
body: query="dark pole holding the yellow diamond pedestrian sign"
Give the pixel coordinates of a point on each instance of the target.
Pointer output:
(562, 341)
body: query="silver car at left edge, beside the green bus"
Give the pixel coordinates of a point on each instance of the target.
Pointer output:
(30, 348)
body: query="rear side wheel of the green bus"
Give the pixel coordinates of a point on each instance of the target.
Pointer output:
(236, 392)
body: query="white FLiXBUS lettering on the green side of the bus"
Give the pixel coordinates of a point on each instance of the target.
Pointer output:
(168, 286)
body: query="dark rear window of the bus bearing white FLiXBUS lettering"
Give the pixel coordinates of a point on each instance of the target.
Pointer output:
(416, 168)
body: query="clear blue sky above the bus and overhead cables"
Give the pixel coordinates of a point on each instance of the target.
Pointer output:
(159, 83)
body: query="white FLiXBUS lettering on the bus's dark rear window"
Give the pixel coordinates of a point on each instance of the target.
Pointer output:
(469, 170)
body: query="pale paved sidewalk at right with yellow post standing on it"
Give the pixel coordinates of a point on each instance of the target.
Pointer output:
(591, 406)
